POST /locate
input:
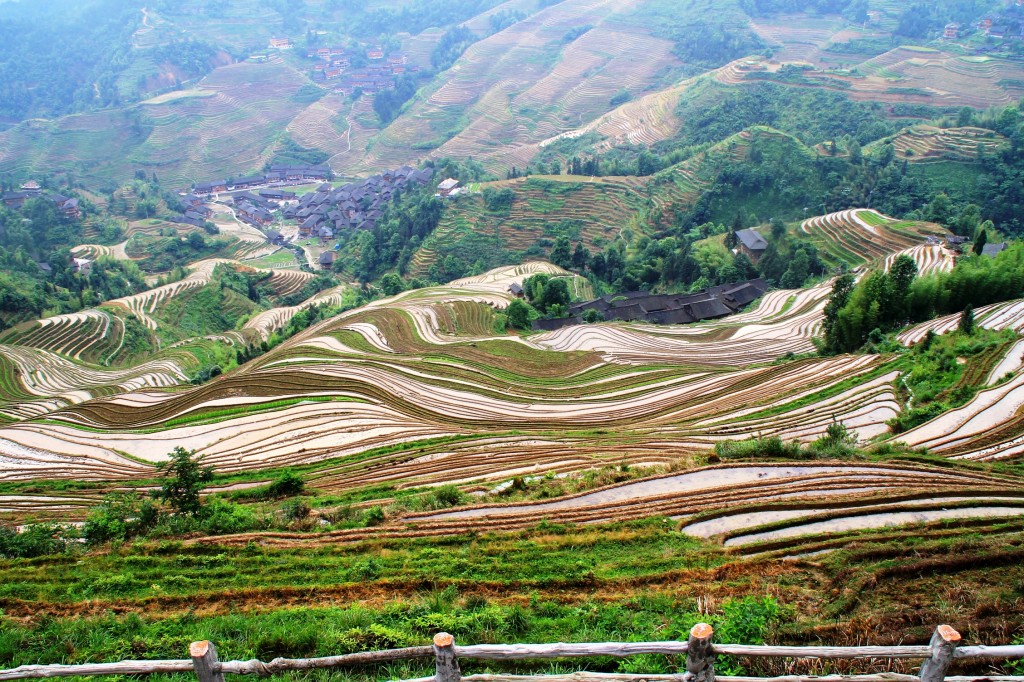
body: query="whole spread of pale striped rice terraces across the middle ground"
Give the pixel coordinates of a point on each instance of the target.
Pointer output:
(419, 391)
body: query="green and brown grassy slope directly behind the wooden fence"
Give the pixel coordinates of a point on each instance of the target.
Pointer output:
(634, 582)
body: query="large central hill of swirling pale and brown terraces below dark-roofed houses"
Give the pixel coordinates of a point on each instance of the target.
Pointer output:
(426, 365)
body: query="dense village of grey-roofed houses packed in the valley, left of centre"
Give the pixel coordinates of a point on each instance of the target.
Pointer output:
(354, 206)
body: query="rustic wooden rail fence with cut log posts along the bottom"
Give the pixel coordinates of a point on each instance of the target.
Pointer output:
(700, 651)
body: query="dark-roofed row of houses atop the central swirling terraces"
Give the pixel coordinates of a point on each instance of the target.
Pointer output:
(661, 309)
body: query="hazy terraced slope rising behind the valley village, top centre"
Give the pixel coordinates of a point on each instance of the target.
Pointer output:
(527, 84)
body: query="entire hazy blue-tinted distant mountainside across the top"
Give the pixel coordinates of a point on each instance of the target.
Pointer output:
(618, 71)
